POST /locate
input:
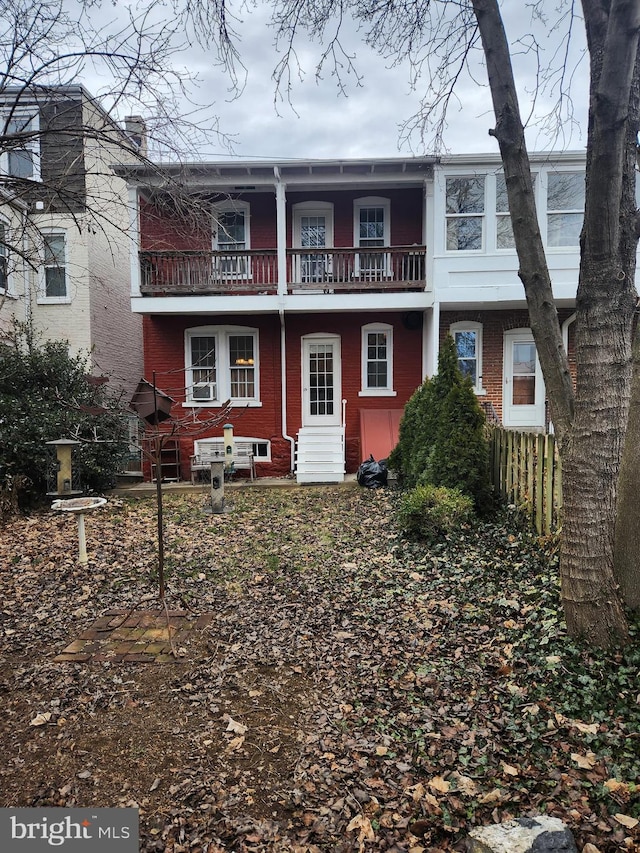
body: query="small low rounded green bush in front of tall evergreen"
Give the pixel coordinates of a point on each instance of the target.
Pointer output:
(431, 512)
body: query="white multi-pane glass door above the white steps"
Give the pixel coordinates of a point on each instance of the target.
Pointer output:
(321, 381)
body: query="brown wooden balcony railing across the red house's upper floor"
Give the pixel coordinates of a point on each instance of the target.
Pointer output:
(256, 271)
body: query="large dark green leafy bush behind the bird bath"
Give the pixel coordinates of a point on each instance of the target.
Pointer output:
(47, 394)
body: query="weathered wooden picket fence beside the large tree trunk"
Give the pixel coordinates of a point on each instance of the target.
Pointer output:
(525, 469)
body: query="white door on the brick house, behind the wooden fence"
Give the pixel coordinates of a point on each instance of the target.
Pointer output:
(523, 394)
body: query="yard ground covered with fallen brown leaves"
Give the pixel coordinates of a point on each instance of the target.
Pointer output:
(355, 691)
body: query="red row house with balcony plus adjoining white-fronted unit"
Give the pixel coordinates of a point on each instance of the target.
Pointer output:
(314, 295)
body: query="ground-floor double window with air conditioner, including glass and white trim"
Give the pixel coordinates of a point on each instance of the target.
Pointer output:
(221, 364)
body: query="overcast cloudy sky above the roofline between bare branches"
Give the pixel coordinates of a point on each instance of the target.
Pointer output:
(366, 119)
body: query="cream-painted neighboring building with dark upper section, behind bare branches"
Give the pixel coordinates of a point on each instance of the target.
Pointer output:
(69, 255)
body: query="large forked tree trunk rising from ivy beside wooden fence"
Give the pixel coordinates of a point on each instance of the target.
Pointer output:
(590, 438)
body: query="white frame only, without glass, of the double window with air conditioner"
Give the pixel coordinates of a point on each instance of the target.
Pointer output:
(221, 334)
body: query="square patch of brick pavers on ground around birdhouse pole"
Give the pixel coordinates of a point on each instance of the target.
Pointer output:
(138, 636)
